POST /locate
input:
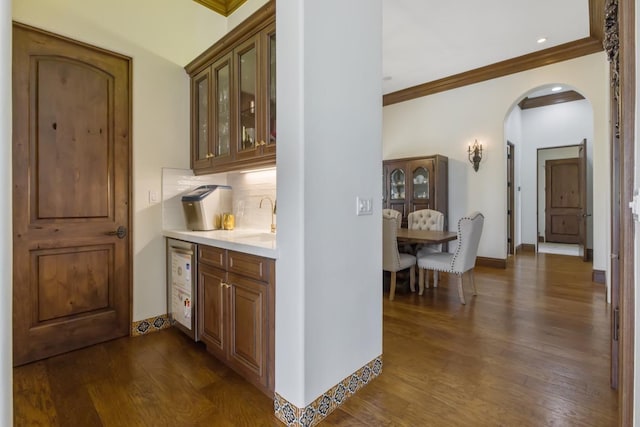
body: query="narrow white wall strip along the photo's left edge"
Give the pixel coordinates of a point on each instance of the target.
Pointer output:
(6, 227)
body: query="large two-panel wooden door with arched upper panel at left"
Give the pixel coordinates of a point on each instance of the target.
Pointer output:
(71, 177)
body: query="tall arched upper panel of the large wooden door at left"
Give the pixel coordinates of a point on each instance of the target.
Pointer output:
(73, 130)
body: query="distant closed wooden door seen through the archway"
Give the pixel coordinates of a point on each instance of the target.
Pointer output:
(563, 210)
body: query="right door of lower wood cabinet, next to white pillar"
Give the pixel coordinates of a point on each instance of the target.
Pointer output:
(248, 322)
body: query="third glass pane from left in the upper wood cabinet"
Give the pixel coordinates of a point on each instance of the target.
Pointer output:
(247, 74)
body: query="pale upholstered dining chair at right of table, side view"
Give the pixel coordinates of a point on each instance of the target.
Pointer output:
(460, 262)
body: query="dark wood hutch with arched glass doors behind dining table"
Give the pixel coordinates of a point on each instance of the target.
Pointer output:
(415, 183)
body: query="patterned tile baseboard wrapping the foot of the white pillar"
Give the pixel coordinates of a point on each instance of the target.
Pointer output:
(315, 412)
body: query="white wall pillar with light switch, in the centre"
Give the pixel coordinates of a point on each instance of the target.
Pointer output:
(328, 273)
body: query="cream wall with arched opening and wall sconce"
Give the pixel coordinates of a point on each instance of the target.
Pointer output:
(445, 123)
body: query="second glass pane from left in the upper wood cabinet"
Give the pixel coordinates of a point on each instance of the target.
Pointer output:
(222, 114)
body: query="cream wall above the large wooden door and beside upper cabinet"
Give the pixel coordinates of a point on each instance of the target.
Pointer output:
(160, 118)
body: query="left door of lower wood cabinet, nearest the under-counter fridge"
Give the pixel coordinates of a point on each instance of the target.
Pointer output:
(211, 307)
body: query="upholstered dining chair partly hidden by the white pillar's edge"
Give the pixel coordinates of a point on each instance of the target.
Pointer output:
(392, 260)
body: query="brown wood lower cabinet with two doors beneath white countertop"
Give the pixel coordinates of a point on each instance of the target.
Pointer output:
(236, 307)
